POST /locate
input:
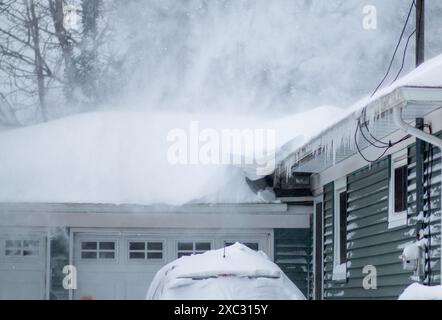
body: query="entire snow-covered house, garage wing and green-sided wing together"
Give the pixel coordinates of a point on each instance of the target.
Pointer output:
(355, 211)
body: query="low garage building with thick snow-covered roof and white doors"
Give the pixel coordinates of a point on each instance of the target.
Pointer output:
(95, 191)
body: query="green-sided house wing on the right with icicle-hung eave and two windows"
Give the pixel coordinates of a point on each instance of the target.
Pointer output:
(376, 182)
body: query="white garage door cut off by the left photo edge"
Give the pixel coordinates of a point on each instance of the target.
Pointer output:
(22, 265)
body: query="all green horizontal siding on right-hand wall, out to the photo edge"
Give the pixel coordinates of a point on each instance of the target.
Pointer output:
(370, 242)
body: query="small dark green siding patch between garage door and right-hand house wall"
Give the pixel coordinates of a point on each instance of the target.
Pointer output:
(293, 255)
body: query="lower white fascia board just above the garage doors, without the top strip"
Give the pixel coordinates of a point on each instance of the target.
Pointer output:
(157, 220)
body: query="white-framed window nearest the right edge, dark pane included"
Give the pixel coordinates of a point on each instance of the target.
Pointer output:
(397, 211)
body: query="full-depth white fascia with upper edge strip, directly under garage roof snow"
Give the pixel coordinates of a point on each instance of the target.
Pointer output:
(189, 216)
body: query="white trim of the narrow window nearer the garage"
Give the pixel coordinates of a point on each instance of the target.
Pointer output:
(339, 269)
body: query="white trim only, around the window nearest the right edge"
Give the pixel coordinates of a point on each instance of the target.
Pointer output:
(396, 219)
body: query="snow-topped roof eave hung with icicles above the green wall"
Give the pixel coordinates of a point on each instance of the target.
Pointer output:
(419, 92)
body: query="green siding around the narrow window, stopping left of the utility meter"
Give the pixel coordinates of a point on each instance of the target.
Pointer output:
(369, 241)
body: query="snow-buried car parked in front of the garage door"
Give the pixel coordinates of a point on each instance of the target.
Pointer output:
(234, 273)
